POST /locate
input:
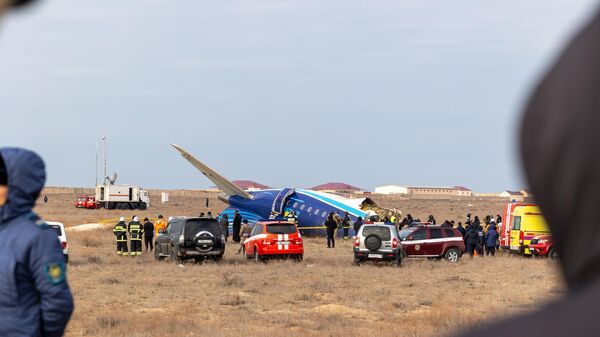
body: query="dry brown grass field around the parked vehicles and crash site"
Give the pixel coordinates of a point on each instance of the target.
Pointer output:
(326, 295)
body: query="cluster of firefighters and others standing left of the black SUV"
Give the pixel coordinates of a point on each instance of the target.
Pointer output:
(136, 232)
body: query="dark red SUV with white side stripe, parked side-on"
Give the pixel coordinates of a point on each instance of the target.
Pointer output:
(432, 242)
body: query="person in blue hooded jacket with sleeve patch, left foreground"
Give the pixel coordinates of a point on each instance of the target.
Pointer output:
(35, 299)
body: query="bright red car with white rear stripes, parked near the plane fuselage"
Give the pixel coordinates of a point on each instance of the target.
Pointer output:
(274, 239)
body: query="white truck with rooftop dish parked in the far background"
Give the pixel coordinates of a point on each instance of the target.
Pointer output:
(122, 197)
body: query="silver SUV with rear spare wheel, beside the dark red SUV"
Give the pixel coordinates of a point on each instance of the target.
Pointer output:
(377, 242)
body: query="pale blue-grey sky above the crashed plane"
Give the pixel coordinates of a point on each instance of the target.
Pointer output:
(286, 93)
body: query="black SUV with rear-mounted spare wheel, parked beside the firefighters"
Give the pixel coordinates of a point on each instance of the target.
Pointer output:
(191, 238)
